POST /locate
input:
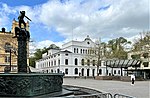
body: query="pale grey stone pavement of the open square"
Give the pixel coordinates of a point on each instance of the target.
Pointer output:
(141, 89)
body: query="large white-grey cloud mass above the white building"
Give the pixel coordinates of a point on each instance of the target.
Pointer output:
(81, 19)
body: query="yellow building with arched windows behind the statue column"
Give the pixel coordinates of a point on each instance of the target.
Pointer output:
(8, 48)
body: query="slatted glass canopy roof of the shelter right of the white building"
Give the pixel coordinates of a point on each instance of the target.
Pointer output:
(123, 63)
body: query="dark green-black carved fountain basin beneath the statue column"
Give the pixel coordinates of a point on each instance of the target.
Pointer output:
(30, 84)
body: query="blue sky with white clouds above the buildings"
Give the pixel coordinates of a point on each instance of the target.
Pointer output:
(59, 21)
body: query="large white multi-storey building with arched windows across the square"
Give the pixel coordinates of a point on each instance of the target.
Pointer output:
(72, 60)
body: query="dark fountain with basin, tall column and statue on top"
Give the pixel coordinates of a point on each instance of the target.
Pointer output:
(22, 83)
